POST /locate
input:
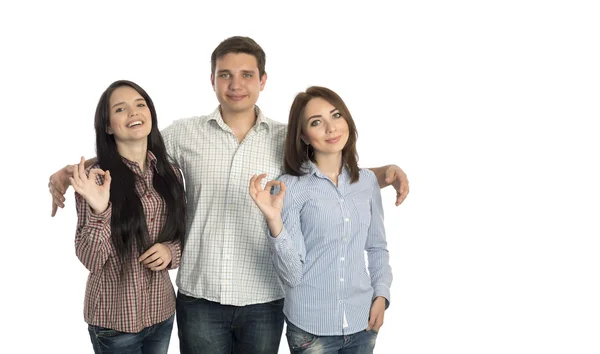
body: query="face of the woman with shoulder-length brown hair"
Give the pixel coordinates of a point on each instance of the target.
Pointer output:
(323, 127)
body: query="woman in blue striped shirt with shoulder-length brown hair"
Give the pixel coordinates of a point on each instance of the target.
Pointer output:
(323, 215)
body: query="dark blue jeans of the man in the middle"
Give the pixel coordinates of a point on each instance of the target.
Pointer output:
(208, 327)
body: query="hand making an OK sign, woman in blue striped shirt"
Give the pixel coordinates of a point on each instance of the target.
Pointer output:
(270, 205)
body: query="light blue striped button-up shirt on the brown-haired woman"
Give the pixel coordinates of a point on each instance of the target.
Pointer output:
(320, 253)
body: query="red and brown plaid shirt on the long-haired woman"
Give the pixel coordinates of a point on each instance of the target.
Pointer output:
(145, 297)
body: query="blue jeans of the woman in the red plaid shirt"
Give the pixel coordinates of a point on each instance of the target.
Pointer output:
(151, 340)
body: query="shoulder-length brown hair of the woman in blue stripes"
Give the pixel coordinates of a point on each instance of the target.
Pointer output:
(297, 152)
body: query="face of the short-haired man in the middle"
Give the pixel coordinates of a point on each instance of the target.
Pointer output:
(237, 83)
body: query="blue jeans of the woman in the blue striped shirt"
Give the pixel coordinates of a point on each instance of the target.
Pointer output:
(299, 341)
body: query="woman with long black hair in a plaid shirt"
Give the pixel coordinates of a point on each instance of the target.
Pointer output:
(131, 222)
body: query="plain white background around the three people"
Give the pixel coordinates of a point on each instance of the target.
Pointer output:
(489, 106)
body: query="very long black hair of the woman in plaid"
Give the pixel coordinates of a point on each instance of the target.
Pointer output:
(128, 221)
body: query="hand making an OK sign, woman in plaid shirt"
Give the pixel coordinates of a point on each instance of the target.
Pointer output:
(97, 196)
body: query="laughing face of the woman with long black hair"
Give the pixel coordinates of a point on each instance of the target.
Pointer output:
(130, 117)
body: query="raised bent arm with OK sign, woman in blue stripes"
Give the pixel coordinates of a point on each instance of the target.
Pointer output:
(286, 239)
